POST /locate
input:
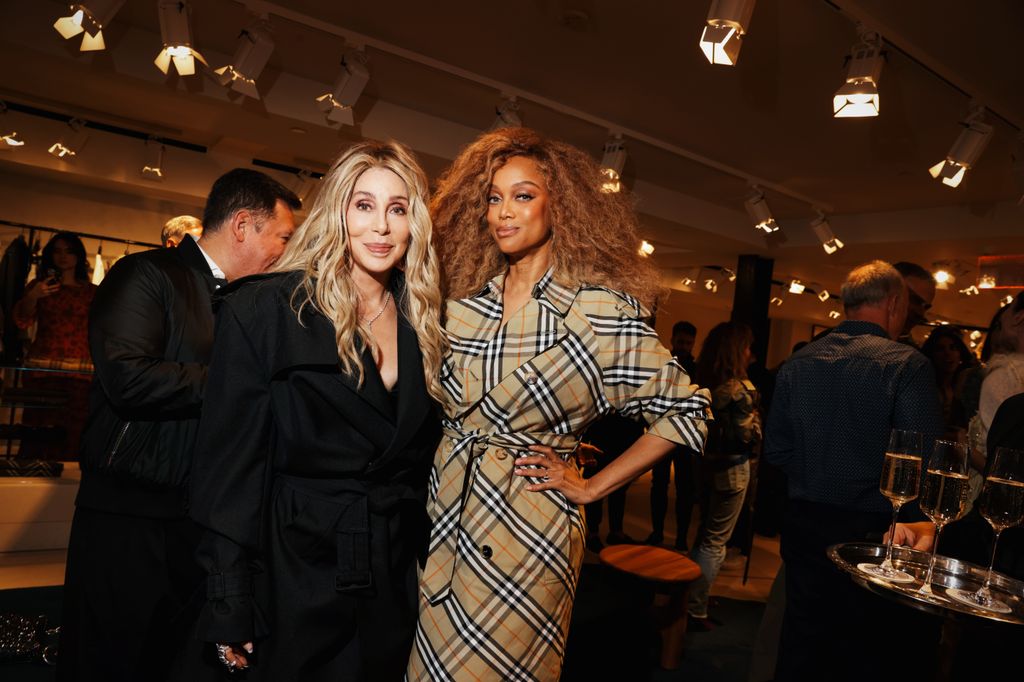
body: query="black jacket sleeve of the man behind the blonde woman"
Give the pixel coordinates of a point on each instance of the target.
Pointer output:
(129, 338)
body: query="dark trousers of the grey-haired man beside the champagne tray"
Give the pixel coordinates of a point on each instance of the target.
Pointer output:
(832, 628)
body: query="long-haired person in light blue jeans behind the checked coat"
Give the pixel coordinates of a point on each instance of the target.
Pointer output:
(733, 439)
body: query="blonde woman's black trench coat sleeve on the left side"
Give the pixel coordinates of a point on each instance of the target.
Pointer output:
(230, 482)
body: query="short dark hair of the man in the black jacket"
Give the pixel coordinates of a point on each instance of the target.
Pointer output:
(244, 189)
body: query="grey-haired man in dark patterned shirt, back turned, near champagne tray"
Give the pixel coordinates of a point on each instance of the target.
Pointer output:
(836, 402)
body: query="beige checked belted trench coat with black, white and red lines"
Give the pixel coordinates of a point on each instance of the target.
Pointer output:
(497, 591)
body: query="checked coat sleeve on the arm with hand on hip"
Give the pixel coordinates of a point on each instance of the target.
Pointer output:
(642, 378)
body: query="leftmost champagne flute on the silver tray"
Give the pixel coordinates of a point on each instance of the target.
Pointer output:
(901, 483)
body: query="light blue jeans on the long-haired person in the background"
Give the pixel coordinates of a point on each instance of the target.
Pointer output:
(724, 495)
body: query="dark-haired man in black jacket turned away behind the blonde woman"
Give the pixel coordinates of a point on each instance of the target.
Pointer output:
(133, 577)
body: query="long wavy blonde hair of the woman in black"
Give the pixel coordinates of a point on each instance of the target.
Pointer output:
(320, 248)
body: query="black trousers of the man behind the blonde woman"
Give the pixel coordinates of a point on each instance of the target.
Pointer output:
(131, 598)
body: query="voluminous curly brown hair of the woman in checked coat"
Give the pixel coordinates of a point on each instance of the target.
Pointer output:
(594, 235)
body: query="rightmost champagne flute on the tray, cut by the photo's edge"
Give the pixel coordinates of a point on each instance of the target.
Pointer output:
(1002, 504)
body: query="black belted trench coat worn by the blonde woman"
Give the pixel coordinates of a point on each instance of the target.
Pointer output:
(313, 489)
